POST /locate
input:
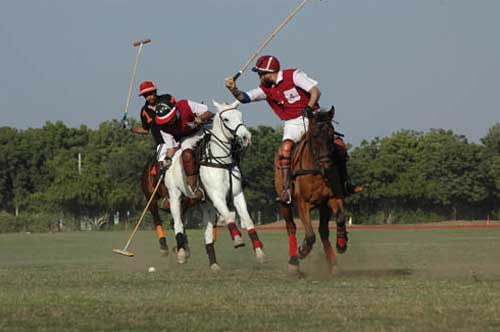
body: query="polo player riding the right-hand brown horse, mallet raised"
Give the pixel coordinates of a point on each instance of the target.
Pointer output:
(290, 93)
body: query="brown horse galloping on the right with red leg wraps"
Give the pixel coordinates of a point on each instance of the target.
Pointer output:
(316, 184)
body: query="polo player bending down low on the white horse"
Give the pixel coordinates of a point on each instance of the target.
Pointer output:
(180, 127)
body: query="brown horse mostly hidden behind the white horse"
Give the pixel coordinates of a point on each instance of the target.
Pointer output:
(149, 179)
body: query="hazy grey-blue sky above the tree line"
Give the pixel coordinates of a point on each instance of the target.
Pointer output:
(386, 65)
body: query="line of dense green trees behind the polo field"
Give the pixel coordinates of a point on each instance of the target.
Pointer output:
(407, 177)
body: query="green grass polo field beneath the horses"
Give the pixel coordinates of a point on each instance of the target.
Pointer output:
(389, 280)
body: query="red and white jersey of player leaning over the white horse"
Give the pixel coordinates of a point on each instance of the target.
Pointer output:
(186, 125)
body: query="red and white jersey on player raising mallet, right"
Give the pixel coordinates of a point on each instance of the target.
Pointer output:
(288, 96)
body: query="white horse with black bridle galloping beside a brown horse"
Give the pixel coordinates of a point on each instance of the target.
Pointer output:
(220, 176)
